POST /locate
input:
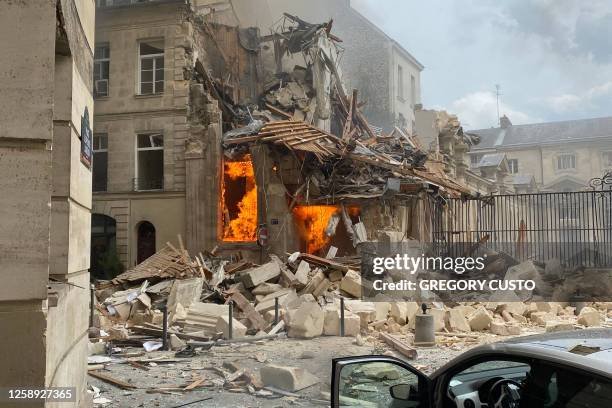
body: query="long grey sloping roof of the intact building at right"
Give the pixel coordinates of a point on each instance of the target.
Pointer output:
(544, 133)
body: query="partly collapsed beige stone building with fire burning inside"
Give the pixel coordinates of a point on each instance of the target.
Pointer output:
(243, 138)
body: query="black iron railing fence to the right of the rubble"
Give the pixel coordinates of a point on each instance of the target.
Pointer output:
(573, 227)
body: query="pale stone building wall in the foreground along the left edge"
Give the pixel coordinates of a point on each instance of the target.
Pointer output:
(45, 157)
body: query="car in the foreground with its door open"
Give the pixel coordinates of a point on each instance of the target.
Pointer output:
(571, 369)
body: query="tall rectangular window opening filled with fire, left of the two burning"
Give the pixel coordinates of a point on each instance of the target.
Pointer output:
(239, 201)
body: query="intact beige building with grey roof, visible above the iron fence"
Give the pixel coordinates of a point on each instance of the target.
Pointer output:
(554, 156)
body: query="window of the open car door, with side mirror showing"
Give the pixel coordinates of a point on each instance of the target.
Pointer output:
(378, 385)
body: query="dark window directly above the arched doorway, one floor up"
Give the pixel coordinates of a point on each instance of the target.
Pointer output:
(149, 162)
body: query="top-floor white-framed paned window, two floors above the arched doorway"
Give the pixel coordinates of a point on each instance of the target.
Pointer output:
(151, 72)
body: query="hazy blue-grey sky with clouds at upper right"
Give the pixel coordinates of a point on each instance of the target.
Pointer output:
(551, 58)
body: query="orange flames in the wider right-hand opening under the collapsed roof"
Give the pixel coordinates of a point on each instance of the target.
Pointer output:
(311, 223)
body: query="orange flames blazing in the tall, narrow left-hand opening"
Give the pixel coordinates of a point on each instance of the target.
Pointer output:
(242, 227)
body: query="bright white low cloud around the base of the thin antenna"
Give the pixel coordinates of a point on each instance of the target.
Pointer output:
(479, 110)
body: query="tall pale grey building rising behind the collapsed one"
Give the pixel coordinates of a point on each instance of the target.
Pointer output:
(387, 76)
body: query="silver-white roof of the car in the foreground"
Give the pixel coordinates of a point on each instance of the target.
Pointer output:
(589, 350)
